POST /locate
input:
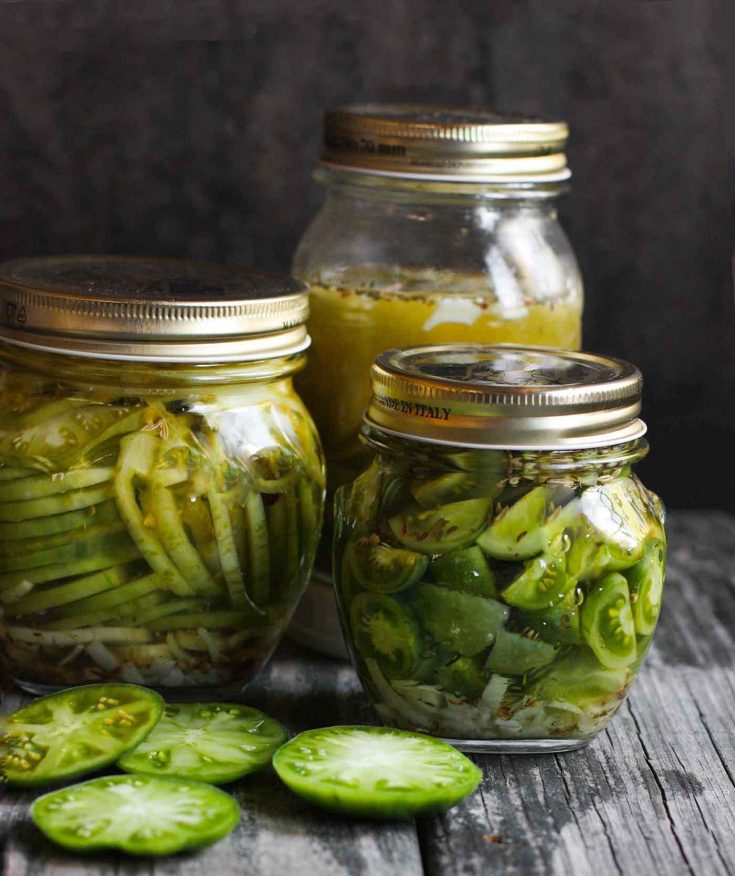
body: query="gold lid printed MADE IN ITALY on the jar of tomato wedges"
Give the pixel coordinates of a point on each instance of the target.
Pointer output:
(505, 397)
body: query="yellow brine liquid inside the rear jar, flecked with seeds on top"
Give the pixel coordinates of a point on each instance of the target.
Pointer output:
(350, 326)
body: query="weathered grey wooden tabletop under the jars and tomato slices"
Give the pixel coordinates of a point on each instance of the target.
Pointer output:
(655, 794)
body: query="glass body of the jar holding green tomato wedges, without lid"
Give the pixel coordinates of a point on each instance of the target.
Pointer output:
(505, 600)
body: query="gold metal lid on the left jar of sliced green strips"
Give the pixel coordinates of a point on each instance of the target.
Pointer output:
(151, 309)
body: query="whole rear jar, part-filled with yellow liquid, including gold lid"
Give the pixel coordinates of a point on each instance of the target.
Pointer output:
(439, 225)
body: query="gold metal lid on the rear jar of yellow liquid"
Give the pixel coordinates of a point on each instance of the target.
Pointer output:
(440, 143)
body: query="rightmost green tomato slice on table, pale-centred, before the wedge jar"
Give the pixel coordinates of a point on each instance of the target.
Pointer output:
(375, 772)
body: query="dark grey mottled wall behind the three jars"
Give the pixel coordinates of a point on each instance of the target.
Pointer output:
(190, 128)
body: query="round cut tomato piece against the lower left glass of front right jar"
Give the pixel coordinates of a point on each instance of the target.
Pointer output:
(384, 630)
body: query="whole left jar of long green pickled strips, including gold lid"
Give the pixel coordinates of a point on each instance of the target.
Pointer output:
(161, 483)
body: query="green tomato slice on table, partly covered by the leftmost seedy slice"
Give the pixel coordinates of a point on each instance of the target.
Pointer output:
(212, 742)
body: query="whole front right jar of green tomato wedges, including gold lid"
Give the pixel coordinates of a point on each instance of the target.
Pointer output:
(500, 567)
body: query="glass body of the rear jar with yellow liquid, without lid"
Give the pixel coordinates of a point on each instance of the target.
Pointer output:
(393, 263)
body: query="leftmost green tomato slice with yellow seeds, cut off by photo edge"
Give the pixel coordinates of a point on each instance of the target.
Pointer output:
(75, 731)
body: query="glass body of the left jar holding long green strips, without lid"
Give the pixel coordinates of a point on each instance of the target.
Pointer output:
(159, 522)
